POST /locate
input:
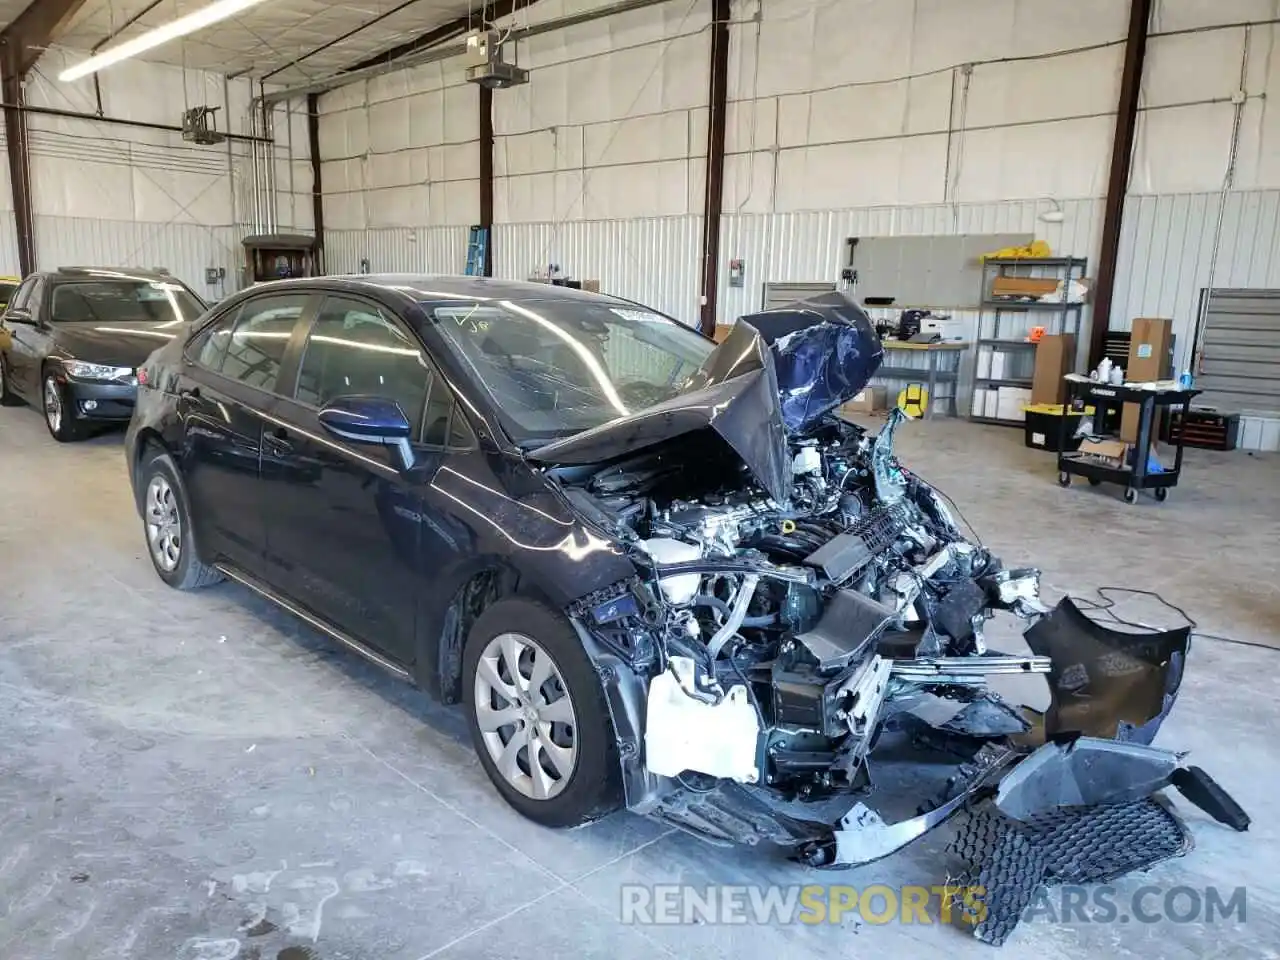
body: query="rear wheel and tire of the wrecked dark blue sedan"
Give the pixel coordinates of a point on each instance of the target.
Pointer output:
(163, 505)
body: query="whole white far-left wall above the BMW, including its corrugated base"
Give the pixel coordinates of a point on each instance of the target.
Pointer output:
(115, 195)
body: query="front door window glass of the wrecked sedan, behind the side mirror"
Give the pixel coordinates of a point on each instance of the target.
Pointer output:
(356, 350)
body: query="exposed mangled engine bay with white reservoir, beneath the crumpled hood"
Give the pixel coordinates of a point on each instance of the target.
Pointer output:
(789, 628)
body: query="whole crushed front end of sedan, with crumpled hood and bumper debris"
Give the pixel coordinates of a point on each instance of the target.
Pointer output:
(807, 614)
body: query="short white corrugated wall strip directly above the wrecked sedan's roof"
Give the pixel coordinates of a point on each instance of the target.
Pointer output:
(432, 250)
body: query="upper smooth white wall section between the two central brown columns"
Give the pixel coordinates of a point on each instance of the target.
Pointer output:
(612, 124)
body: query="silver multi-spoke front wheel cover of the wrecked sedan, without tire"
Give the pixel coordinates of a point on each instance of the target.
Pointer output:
(527, 716)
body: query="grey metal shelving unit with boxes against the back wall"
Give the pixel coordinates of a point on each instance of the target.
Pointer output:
(998, 319)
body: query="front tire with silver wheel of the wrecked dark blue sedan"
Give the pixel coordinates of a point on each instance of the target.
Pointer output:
(592, 788)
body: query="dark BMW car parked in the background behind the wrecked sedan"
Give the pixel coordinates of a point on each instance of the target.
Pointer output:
(72, 341)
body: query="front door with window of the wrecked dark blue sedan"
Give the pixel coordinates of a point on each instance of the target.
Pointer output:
(344, 520)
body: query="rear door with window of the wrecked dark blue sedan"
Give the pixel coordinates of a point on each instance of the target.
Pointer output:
(226, 395)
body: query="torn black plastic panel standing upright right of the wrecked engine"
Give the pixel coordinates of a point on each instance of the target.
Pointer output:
(1108, 683)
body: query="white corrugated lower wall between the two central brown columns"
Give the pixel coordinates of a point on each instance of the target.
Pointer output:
(653, 260)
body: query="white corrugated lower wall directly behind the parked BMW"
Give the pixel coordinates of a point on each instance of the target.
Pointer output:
(186, 250)
